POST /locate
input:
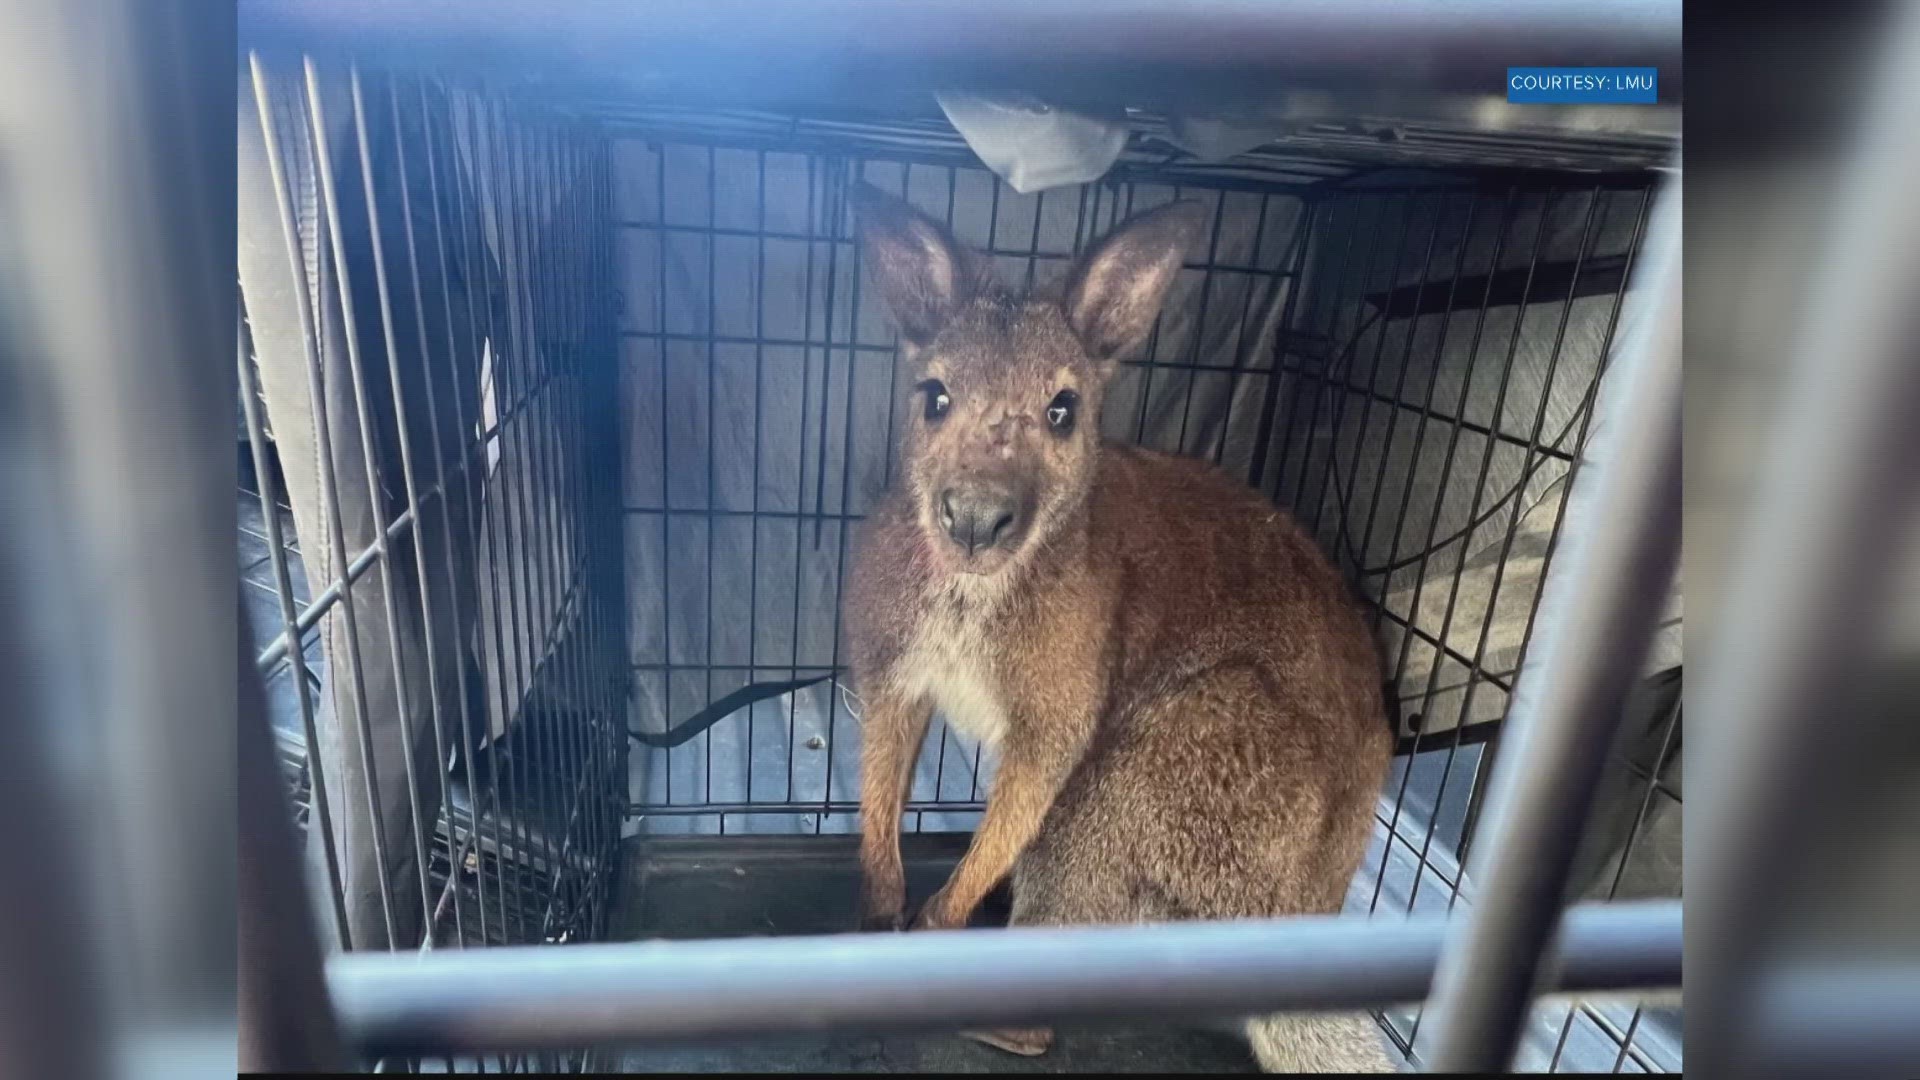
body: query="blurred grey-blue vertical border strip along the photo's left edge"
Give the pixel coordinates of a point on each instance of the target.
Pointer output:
(116, 135)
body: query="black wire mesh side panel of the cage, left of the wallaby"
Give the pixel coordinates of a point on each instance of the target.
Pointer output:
(429, 504)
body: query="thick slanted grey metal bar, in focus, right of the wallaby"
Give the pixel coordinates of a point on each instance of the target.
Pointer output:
(1568, 704)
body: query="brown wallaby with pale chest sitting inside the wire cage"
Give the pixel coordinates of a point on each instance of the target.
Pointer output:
(1182, 695)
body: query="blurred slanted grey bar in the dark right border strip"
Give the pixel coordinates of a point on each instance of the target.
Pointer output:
(1808, 591)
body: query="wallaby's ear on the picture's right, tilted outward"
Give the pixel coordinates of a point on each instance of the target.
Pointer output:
(1116, 291)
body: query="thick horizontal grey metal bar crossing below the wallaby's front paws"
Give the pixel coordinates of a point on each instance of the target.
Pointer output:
(537, 998)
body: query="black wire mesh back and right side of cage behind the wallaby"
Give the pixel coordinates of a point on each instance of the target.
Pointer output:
(1408, 362)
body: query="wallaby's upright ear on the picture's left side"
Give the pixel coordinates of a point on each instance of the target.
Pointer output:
(923, 272)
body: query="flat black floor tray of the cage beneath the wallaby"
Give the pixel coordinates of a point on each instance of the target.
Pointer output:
(715, 887)
